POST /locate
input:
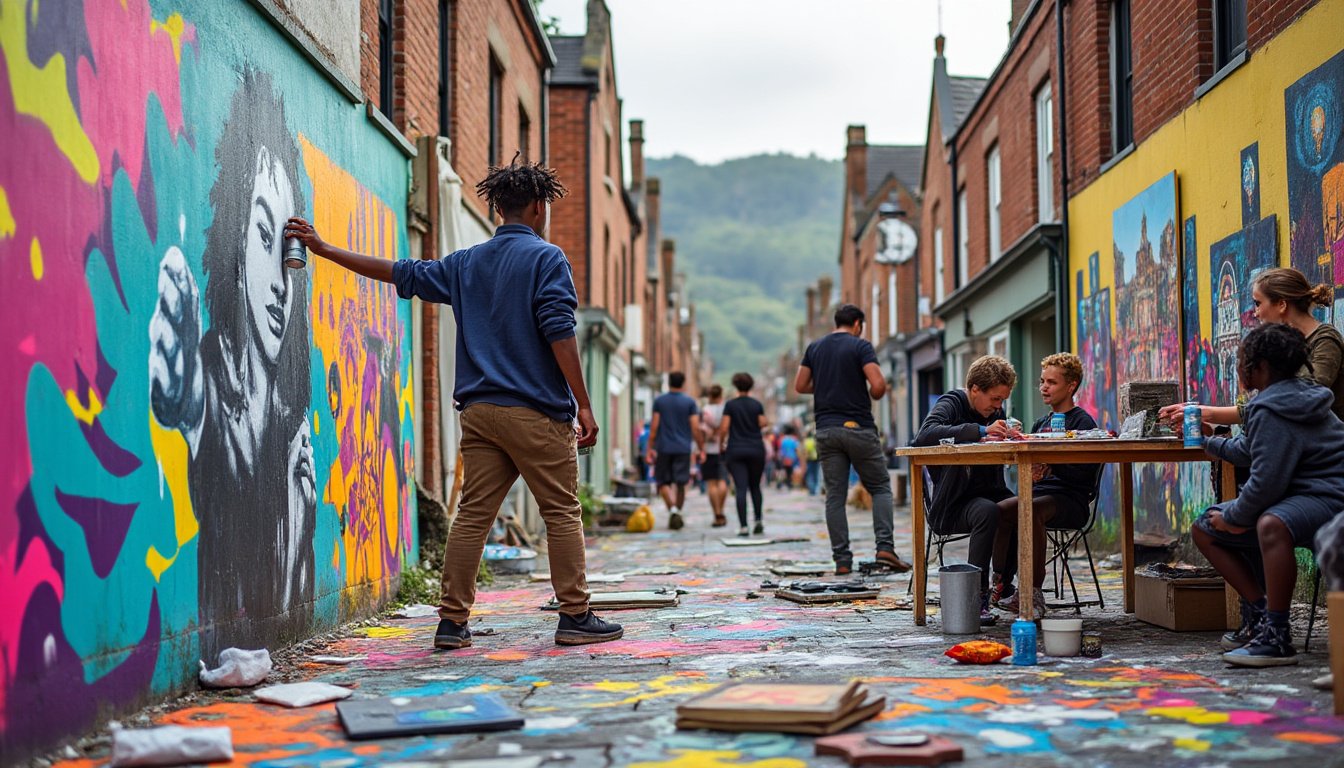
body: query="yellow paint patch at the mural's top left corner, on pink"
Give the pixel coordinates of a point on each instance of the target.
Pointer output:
(42, 93)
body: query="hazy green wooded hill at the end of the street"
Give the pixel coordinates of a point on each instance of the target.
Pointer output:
(751, 235)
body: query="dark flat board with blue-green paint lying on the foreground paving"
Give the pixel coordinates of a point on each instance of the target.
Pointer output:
(411, 716)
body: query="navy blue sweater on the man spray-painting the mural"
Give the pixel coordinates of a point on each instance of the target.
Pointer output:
(513, 297)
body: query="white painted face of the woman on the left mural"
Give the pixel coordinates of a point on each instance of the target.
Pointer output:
(269, 298)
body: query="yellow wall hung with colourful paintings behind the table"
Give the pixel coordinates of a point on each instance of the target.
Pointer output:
(1253, 178)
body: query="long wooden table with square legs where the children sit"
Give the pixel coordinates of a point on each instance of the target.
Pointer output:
(1038, 451)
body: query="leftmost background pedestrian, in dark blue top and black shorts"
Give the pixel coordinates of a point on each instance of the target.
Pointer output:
(675, 426)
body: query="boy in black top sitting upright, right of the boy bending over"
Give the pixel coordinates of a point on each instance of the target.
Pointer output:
(1061, 494)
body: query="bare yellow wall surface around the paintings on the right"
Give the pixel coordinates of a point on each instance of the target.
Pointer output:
(1204, 146)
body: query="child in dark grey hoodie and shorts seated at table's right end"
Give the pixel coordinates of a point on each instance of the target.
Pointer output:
(1292, 443)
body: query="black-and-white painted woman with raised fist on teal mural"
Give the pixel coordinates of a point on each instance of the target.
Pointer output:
(240, 391)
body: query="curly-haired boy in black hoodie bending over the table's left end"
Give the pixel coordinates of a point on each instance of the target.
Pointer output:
(966, 500)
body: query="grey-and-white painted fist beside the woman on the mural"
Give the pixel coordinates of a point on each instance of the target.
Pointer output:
(177, 383)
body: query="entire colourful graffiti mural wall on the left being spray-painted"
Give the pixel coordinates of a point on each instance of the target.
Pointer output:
(202, 449)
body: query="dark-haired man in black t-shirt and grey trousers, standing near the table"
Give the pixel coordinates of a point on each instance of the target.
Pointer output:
(842, 372)
